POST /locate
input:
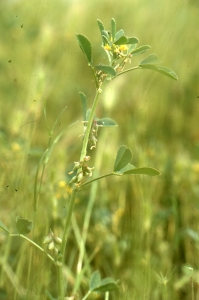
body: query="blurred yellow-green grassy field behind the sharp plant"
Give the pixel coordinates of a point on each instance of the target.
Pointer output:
(143, 231)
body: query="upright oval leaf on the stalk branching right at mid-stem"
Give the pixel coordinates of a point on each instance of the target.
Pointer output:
(123, 157)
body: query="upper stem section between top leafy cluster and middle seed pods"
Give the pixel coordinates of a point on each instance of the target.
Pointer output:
(89, 124)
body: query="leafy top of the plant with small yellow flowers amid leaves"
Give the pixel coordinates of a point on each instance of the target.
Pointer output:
(120, 50)
